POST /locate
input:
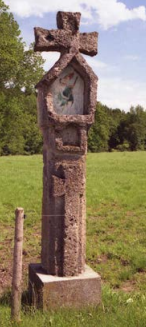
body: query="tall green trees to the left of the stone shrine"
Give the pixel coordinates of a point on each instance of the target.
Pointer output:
(20, 70)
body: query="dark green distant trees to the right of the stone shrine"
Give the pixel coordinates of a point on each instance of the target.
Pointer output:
(117, 130)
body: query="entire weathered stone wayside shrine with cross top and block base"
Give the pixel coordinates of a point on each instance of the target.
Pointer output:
(66, 106)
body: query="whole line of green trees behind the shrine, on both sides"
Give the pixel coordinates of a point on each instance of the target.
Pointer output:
(20, 70)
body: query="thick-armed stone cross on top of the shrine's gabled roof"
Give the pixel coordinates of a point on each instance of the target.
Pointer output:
(67, 37)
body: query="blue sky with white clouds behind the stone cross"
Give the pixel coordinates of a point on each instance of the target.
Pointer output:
(121, 61)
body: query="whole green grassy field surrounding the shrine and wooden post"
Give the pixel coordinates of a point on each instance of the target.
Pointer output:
(116, 241)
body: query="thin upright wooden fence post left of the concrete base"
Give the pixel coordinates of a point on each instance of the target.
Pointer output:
(17, 265)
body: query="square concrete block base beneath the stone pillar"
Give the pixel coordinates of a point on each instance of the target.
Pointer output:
(52, 292)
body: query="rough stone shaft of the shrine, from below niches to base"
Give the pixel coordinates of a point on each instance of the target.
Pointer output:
(63, 221)
